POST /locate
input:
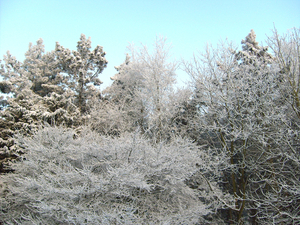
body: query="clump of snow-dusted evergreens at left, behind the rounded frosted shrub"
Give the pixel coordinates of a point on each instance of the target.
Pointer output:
(48, 87)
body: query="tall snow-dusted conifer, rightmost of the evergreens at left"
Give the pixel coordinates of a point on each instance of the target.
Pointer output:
(82, 68)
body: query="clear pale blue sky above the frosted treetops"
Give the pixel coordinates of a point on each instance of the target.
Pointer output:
(113, 24)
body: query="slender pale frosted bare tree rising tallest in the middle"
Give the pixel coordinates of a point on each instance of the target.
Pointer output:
(158, 72)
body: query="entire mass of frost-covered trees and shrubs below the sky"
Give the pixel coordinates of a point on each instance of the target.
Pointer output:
(224, 150)
